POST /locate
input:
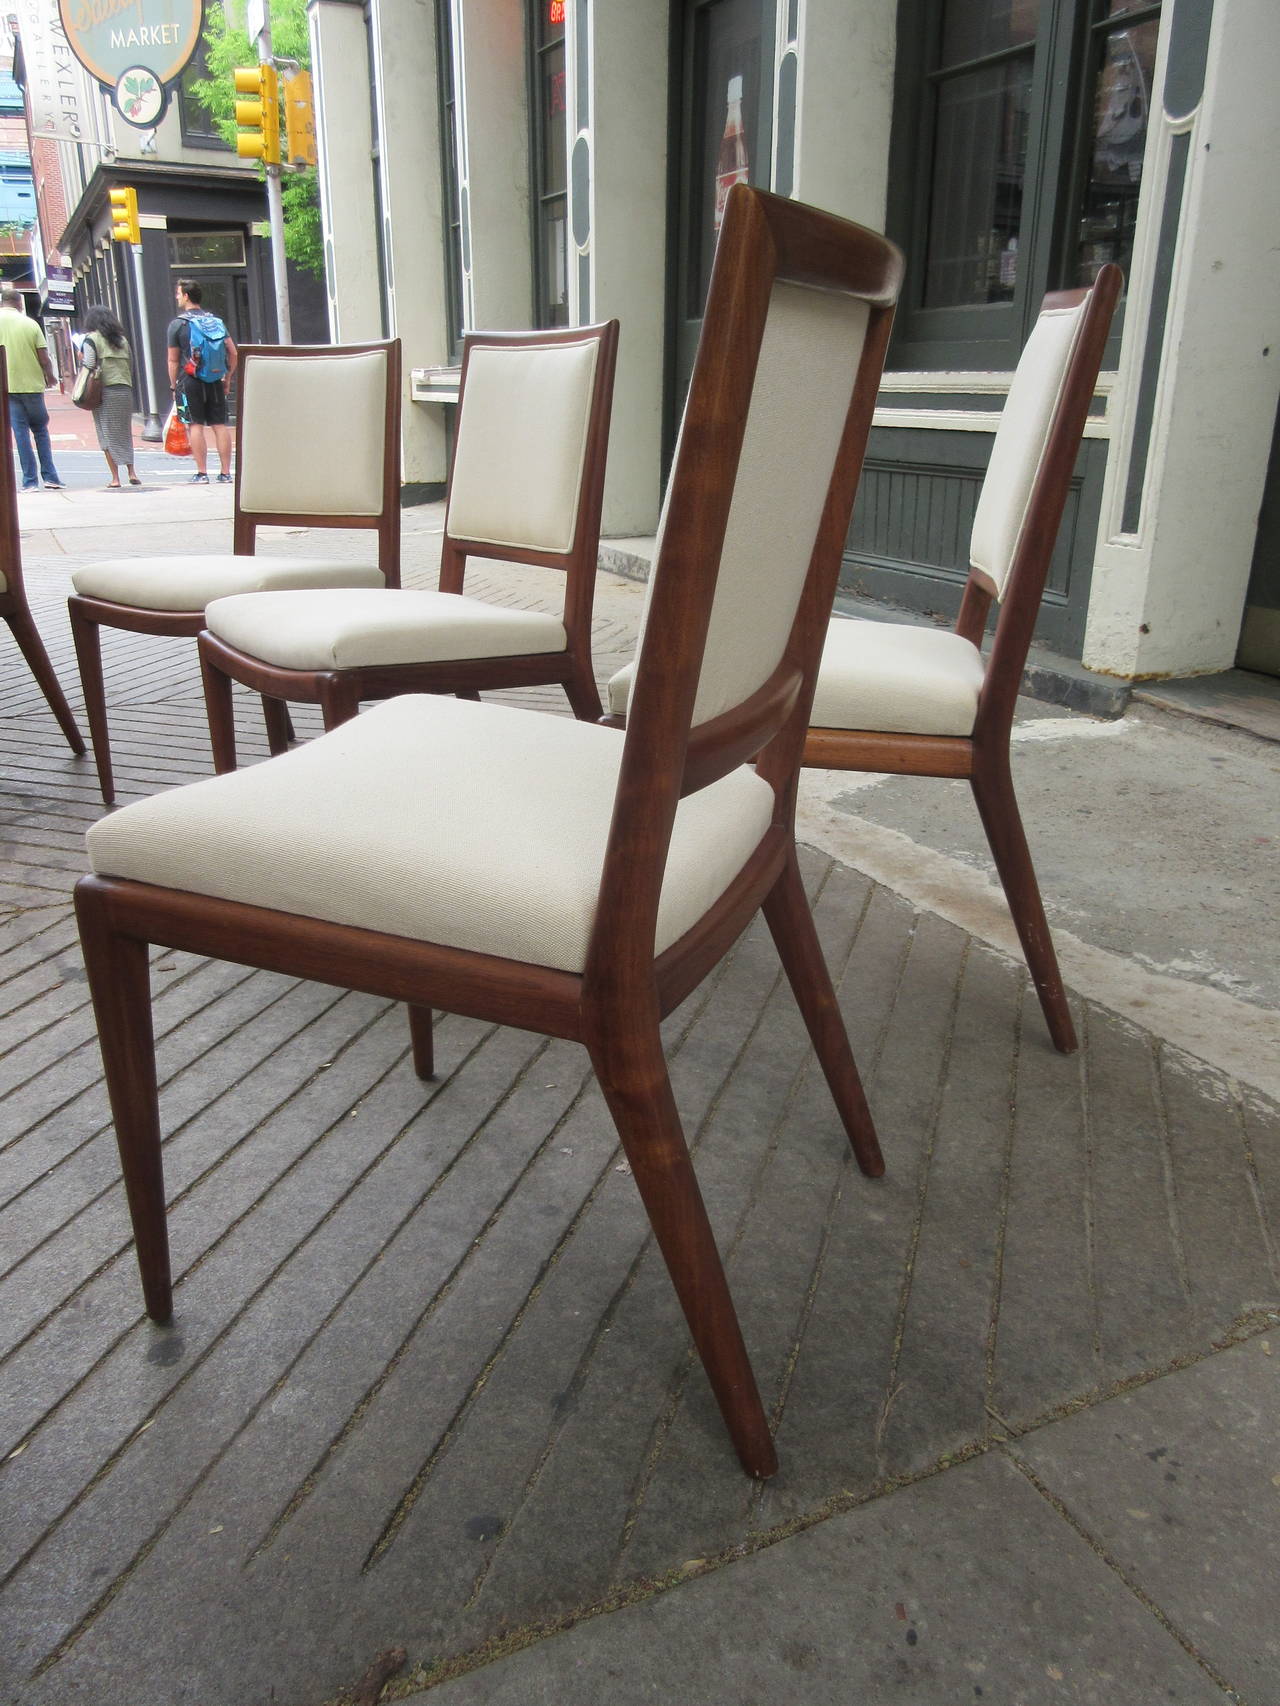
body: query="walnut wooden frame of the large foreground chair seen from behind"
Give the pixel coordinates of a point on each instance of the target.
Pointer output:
(776, 258)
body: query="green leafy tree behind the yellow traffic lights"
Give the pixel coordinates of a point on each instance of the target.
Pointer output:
(226, 47)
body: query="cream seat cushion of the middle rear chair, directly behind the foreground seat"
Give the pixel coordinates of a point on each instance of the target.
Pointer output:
(358, 629)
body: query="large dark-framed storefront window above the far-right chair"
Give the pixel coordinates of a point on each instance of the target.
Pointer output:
(1020, 136)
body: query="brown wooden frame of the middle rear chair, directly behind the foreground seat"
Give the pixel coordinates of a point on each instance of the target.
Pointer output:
(339, 692)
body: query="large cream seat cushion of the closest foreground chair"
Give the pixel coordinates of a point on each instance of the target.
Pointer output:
(474, 827)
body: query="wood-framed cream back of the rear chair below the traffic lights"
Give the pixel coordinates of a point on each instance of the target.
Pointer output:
(339, 410)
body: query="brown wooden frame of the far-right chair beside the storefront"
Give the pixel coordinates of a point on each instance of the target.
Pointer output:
(982, 757)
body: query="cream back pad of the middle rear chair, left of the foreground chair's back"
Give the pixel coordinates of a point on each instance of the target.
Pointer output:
(523, 444)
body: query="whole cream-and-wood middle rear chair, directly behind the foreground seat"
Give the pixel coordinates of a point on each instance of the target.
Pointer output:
(527, 487)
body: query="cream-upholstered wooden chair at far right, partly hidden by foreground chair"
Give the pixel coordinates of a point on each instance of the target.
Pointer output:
(924, 702)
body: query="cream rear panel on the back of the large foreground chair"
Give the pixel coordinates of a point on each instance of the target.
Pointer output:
(800, 403)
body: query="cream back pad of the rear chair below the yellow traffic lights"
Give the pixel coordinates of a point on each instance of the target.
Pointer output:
(313, 434)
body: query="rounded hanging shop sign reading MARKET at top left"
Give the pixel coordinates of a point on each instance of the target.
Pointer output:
(136, 49)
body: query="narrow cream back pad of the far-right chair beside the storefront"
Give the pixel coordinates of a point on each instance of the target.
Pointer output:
(1021, 443)
